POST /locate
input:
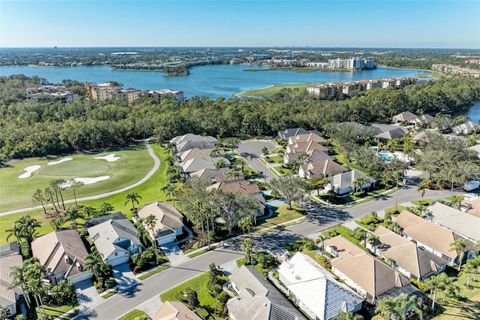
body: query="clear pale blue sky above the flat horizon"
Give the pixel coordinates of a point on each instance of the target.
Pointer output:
(358, 23)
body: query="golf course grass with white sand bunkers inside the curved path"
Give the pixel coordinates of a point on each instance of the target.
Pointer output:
(17, 193)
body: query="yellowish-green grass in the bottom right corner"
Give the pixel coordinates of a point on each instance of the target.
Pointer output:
(467, 306)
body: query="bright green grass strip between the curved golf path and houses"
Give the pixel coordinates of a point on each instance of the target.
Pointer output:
(149, 191)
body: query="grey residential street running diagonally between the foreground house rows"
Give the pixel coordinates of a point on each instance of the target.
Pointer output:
(319, 218)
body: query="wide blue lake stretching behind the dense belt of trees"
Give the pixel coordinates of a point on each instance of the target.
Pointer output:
(211, 81)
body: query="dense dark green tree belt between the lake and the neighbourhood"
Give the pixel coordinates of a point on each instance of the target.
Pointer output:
(40, 128)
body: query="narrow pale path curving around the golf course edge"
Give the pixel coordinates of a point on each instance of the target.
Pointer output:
(156, 166)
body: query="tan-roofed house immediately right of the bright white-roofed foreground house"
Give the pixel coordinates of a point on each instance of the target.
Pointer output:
(370, 277)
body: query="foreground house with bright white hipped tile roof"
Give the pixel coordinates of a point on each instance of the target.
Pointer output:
(315, 290)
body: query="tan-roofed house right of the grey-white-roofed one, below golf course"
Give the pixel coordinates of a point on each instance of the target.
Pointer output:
(169, 223)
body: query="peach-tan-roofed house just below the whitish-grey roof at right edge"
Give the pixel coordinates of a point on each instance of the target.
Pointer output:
(430, 236)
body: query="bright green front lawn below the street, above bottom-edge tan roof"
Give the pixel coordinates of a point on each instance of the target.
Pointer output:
(198, 284)
